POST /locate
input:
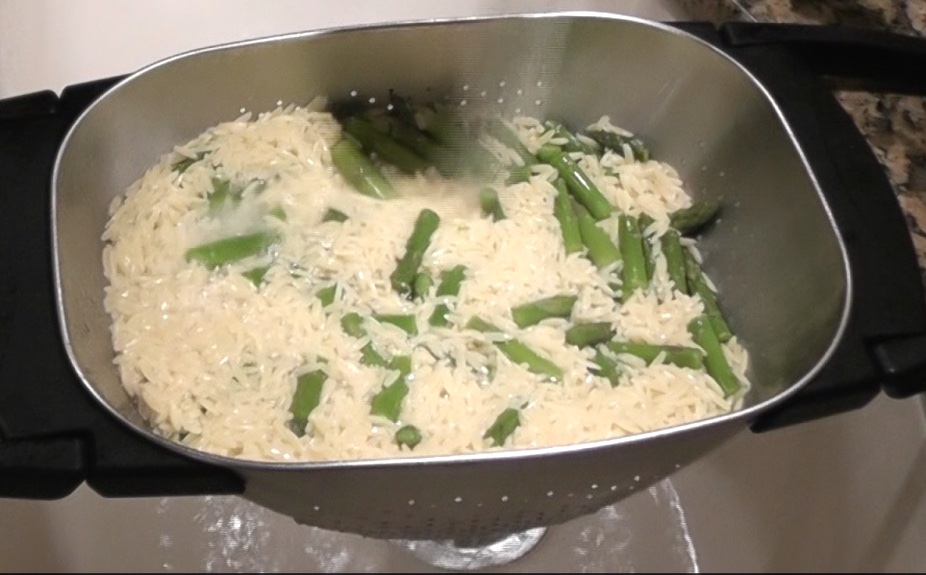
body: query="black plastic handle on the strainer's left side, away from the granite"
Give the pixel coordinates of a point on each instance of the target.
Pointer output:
(52, 436)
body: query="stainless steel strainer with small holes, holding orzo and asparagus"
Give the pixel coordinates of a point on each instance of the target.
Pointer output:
(698, 110)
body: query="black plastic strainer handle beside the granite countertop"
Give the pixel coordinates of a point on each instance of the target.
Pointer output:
(884, 348)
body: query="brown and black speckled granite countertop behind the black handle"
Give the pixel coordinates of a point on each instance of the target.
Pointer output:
(894, 124)
